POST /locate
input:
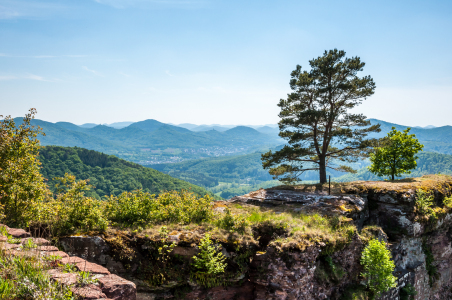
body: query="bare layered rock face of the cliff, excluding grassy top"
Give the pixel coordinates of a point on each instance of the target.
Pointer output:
(421, 249)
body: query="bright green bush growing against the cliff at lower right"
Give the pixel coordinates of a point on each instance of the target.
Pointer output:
(378, 267)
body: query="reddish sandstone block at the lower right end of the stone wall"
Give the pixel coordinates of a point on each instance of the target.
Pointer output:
(118, 288)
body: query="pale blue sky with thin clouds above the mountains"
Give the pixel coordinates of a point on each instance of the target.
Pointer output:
(224, 62)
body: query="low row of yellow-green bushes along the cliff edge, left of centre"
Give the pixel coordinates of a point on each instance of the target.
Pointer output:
(139, 208)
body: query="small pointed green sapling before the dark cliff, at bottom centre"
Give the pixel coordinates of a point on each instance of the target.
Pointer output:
(208, 264)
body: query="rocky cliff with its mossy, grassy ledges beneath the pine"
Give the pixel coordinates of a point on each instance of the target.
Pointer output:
(272, 262)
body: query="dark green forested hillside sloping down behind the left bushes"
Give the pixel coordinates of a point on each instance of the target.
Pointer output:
(107, 173)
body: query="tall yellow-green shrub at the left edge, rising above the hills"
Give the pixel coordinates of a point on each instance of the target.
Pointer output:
(22, 187)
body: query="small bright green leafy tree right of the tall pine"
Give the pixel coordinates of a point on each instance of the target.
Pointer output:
(397, 155)
